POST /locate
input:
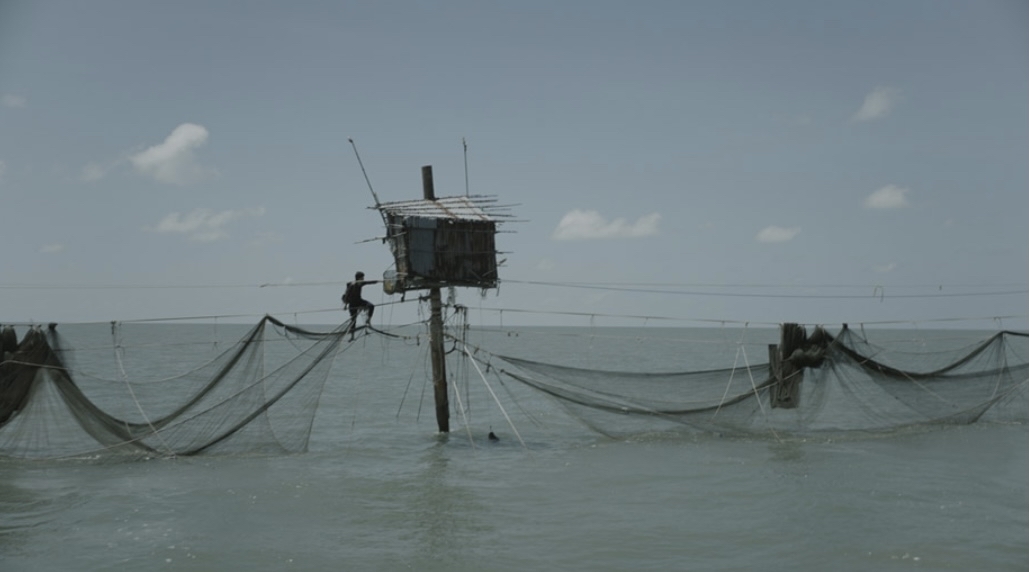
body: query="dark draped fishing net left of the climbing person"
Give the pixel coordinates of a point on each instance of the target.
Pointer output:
(257, 396)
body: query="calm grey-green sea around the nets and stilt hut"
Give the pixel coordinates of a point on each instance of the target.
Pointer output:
(381, 489)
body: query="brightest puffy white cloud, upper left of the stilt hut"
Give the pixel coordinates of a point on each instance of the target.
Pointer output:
(173, 162)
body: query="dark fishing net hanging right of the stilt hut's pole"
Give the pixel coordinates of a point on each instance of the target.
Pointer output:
(842, 383)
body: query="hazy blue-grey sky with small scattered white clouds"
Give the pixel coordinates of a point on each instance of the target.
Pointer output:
(666, 163)
